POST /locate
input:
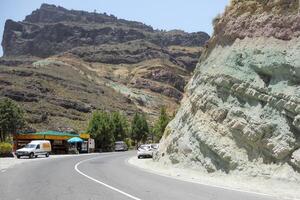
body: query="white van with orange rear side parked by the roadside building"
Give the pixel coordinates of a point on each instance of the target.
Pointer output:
(35, 148)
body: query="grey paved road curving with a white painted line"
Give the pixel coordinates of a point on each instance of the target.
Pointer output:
(102, 176)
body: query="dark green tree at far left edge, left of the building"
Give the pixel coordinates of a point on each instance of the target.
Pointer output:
(11, 118)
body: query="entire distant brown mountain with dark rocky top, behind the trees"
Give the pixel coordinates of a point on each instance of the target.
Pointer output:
(62, 64)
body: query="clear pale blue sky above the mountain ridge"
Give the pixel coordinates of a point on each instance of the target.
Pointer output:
(187, 15)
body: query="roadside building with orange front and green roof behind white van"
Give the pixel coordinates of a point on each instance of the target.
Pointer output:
(58, 139)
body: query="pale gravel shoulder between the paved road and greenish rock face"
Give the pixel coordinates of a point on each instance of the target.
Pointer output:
(276, 188)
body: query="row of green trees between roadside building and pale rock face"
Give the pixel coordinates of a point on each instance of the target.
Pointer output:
(106, 128)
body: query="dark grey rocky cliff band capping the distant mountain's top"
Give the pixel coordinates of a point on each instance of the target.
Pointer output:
(51, 30)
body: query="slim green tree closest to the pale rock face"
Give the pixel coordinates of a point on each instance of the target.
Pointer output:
(161, 124)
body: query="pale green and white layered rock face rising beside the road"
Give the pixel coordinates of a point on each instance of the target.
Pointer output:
(241, 110)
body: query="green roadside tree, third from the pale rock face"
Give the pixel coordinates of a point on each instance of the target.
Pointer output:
(120, 126)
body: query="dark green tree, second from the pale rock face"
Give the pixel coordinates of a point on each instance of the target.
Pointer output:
(139, 128)
